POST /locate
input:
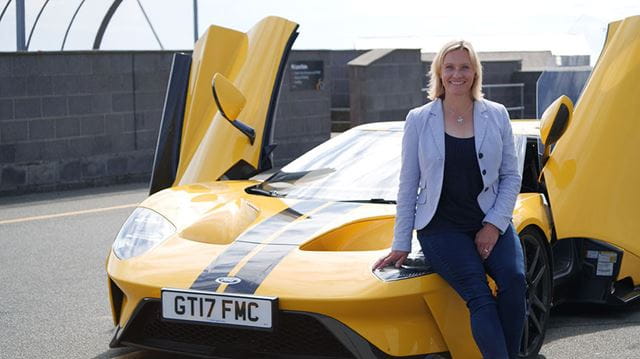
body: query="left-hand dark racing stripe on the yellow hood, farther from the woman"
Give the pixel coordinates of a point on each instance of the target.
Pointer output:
(246, 242)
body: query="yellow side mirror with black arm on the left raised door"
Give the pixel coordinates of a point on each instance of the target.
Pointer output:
(230, 102)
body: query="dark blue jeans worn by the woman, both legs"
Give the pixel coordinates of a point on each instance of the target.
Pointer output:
(496, 323)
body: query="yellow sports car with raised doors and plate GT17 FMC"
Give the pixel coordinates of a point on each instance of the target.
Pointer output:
(218, 264)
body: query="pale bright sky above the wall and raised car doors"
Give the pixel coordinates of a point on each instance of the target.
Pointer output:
(566, 27)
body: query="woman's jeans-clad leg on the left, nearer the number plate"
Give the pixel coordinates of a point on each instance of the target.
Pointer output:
(454, 256)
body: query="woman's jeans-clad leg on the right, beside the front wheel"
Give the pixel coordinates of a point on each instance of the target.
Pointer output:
(506, 266)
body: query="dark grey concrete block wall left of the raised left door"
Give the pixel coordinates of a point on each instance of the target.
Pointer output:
(77, 119)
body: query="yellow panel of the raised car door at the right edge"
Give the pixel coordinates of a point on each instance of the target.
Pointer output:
(593, 173)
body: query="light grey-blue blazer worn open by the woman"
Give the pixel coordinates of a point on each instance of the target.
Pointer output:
(422, 169)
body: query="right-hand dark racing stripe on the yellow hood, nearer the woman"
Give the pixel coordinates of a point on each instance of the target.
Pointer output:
(258, 268)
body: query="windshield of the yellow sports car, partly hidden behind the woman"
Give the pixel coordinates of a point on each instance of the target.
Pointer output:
(358, 165)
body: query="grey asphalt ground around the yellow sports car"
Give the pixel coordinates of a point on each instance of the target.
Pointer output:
(53, 293)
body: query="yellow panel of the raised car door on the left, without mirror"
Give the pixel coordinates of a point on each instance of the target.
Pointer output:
(211, 145)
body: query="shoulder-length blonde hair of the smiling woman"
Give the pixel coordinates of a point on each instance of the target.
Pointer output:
(436, 89)
